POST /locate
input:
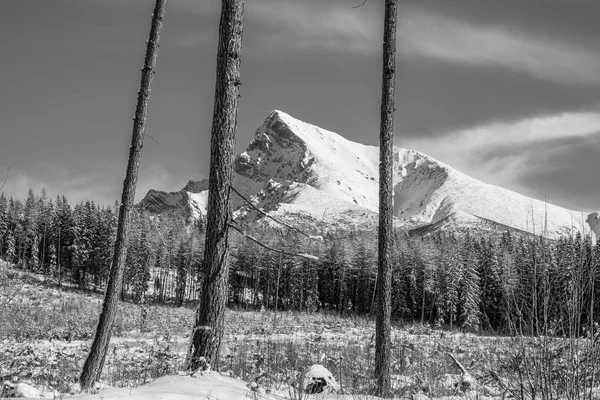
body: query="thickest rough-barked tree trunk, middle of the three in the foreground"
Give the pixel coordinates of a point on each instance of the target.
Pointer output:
(210, 314)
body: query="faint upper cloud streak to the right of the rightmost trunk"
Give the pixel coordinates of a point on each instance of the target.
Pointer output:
(428, 35)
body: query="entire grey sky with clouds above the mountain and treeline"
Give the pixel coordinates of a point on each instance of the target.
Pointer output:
(506, 91)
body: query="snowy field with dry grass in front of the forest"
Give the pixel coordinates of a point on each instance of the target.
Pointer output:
(45, 334)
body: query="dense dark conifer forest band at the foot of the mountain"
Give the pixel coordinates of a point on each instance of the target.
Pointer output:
(506, 283)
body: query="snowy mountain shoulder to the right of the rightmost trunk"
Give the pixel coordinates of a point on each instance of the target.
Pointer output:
(429, 191)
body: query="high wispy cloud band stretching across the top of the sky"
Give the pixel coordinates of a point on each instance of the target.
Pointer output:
(333, 25)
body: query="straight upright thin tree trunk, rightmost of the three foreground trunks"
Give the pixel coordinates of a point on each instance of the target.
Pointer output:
(386, 152)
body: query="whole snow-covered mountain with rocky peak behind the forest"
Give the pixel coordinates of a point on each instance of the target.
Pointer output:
(299, 171)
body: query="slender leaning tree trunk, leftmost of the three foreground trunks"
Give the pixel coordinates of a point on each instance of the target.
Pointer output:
(95, 360)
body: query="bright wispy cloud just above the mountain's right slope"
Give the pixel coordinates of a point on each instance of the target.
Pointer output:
(500, 153)
